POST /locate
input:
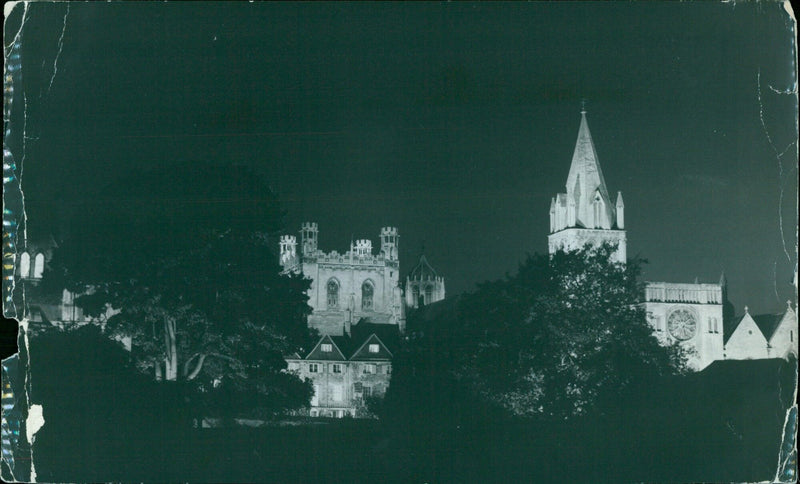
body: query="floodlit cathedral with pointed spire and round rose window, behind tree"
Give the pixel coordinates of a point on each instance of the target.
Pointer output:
(694, 315)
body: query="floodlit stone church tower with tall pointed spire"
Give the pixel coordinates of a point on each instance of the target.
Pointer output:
(586, 214)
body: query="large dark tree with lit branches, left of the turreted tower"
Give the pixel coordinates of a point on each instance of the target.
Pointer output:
(180, 260)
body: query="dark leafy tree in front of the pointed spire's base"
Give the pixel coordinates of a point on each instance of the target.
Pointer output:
(561, 337)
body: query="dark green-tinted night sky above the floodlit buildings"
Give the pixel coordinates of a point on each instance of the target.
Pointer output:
(454, 122)
